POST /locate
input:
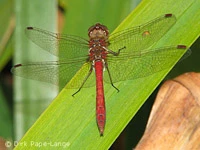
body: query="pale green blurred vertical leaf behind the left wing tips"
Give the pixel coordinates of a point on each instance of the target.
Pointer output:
(31, 97)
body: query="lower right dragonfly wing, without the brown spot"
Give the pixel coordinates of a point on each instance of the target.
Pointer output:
(129, 66)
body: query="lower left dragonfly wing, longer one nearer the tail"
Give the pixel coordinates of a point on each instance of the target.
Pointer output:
(57, 72)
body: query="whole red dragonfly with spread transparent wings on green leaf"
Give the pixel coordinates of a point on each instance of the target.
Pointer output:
(124, 55)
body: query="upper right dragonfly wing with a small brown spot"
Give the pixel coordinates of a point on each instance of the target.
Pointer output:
(141, 37)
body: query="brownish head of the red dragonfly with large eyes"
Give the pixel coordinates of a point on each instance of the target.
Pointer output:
(98, 31)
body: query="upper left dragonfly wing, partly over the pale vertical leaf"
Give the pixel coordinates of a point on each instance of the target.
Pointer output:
(64, 46)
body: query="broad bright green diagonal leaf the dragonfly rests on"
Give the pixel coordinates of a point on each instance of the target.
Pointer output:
(71, 120)
